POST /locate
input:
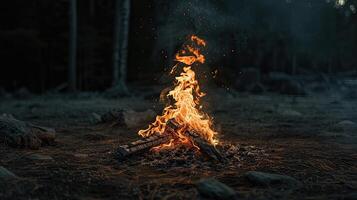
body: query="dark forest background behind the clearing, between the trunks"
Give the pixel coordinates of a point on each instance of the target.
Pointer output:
(301, 37)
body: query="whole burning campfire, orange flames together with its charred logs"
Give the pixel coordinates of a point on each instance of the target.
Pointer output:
(183, 122)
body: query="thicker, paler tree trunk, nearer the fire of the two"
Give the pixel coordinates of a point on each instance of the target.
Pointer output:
(120, 48)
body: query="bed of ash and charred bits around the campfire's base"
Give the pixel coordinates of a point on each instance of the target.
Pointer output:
(235, 155)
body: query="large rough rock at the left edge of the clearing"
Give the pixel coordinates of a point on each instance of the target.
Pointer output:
(22, 134)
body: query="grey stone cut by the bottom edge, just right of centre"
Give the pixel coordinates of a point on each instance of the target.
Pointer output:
(213, 189)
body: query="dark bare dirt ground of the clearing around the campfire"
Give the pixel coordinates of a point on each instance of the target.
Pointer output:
(303, 137)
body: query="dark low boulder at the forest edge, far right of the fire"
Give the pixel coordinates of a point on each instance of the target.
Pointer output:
(284, 84)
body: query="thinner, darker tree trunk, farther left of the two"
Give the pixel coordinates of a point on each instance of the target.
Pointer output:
(72, 68)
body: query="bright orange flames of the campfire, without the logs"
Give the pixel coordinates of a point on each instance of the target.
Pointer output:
(186, 94)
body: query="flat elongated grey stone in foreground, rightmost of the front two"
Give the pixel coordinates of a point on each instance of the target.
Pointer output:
(268, 180)
